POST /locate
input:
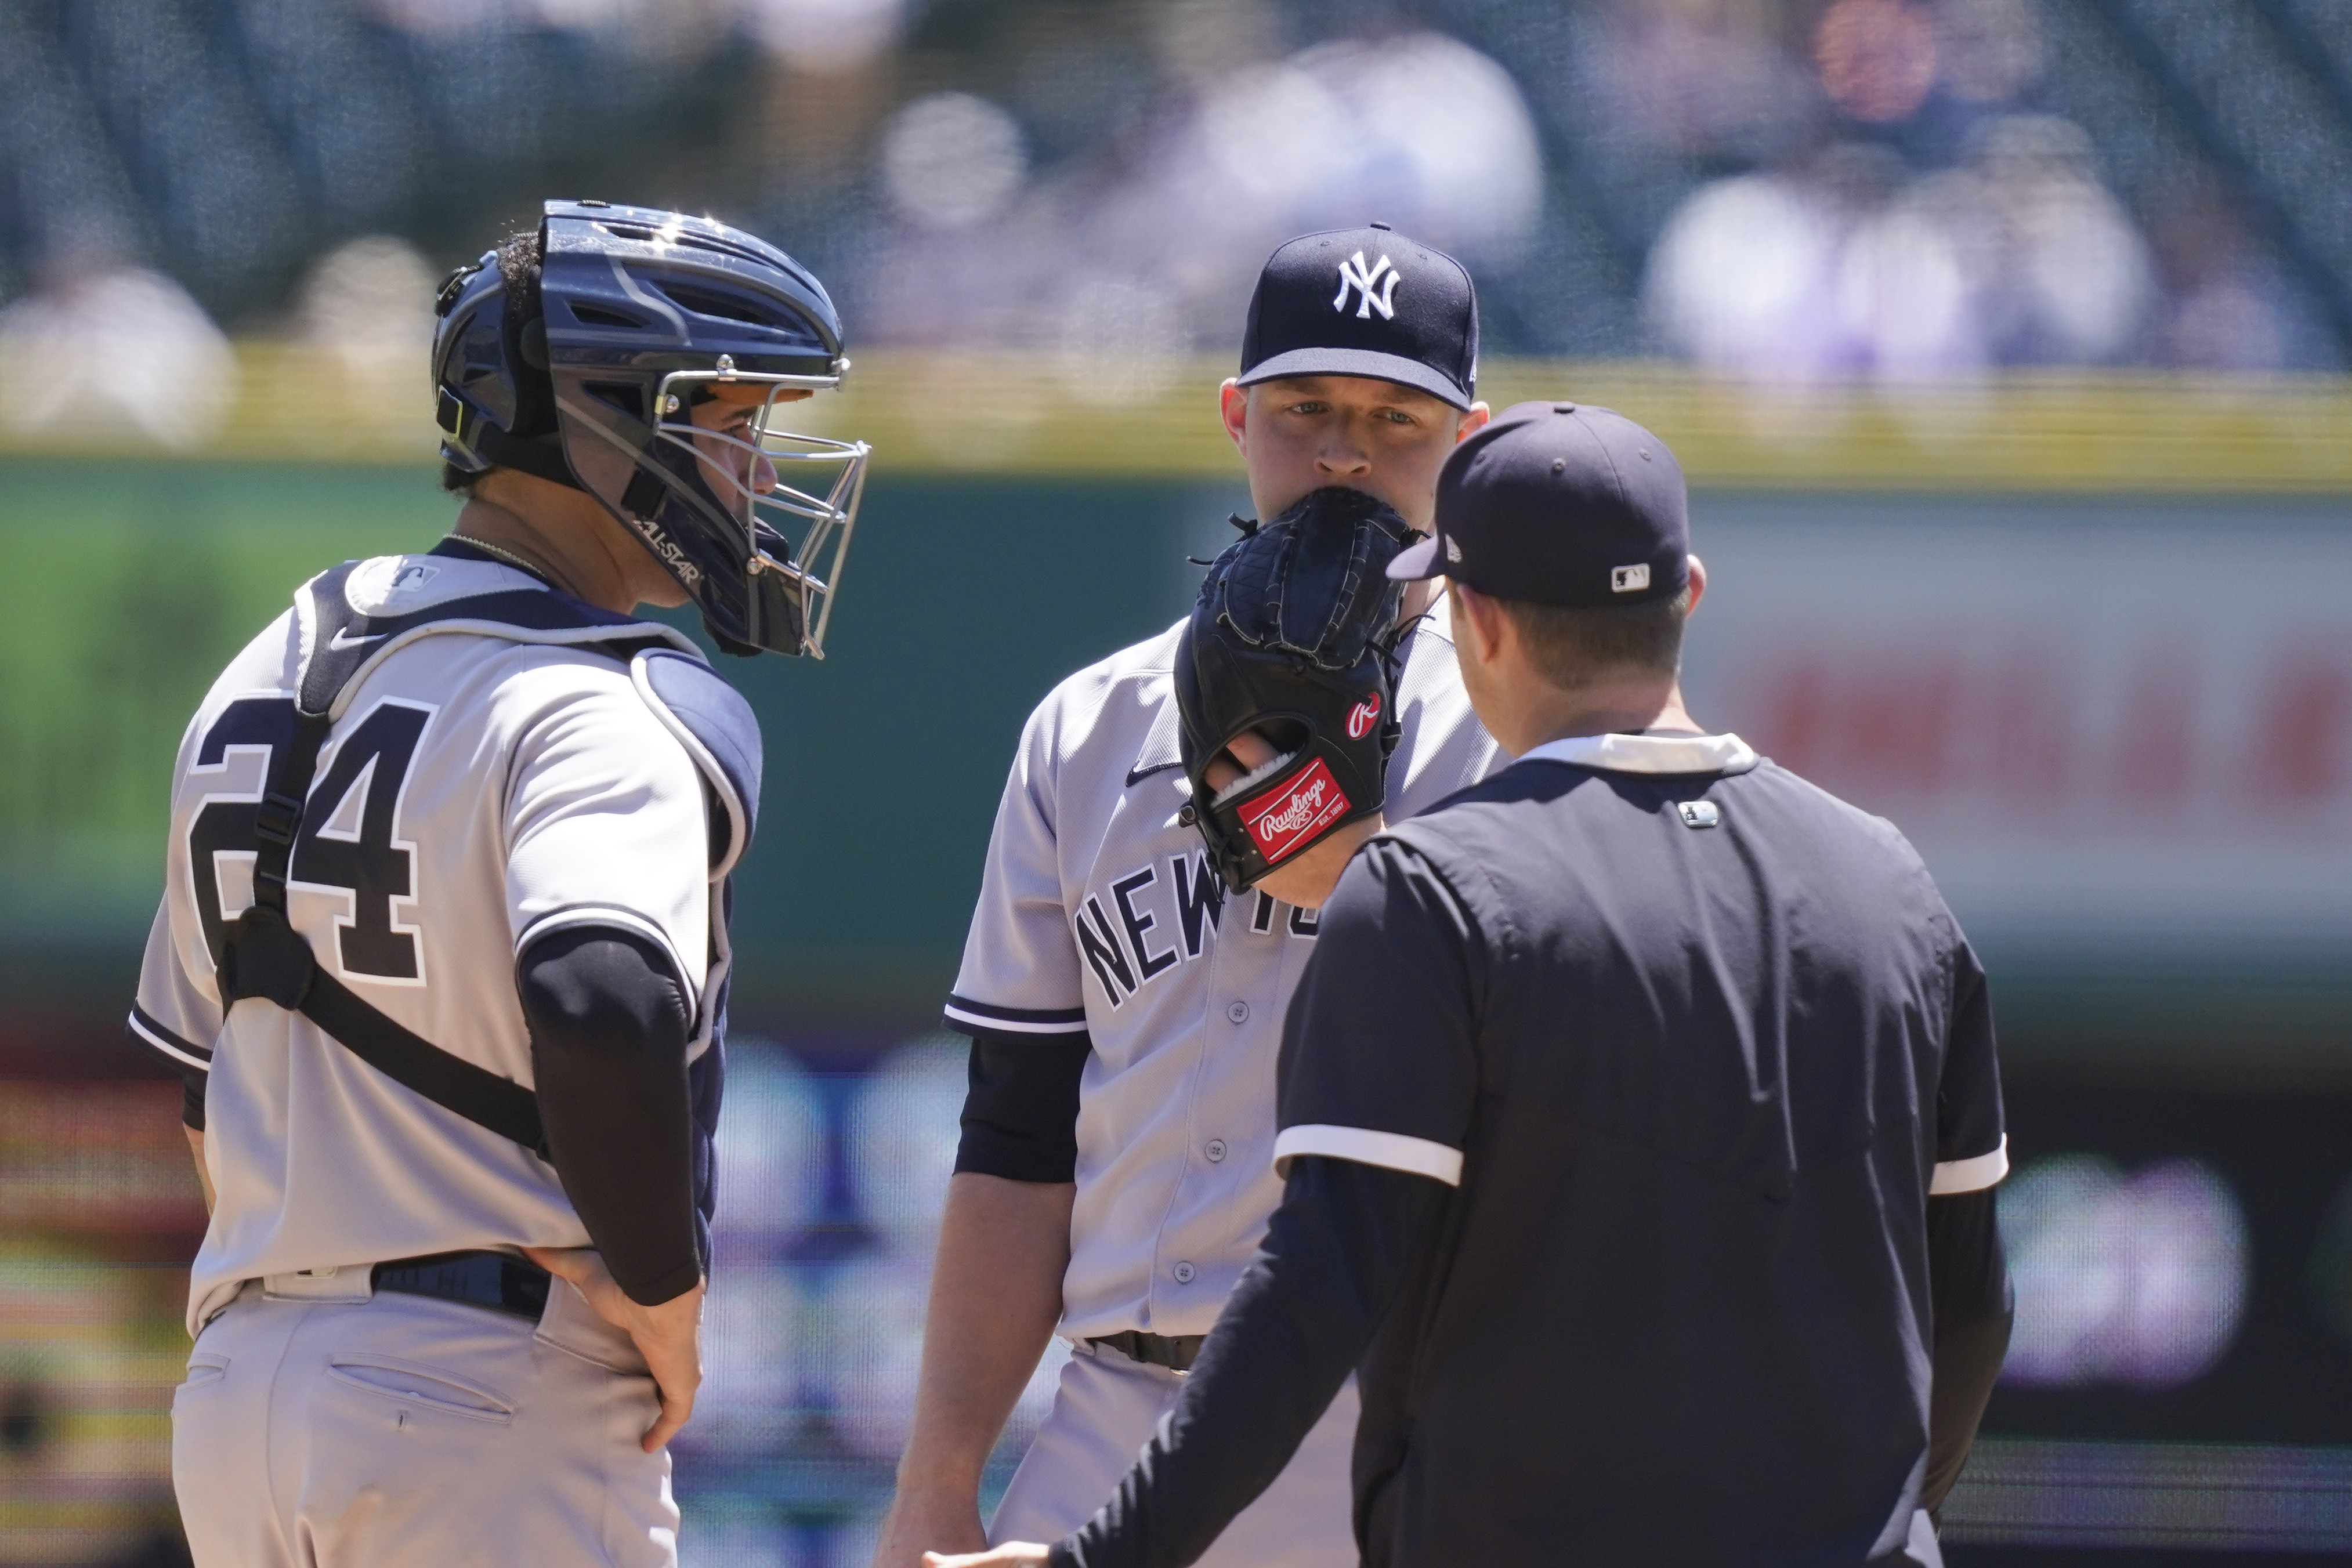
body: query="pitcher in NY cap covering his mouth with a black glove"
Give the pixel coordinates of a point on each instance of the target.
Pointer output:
(1172, 822)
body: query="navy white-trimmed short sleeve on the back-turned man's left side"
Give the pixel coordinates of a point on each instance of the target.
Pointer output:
(1379, 1059)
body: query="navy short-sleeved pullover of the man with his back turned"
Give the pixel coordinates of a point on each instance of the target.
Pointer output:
(1676, 1047)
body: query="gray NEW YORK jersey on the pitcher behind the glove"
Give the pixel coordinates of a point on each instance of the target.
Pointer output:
(1100, 916)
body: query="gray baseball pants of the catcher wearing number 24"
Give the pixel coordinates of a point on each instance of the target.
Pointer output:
(330, 1428)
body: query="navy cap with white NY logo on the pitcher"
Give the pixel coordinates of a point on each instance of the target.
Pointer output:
(1365, 302)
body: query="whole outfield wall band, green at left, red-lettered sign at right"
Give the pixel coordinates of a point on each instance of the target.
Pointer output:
(2118, 728)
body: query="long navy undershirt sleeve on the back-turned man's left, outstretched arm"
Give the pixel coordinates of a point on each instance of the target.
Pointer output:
(1335, 1259)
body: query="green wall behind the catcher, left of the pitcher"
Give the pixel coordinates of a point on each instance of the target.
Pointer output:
(963, 603)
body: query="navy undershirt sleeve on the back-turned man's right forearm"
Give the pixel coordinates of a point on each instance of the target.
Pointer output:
(1975, 1308)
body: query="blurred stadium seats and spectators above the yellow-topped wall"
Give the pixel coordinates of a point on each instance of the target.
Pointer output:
(1904, 192)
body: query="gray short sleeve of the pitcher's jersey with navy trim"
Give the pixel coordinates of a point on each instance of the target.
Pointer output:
(1020, 972)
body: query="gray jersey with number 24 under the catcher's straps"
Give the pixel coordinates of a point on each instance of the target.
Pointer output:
(483, 784)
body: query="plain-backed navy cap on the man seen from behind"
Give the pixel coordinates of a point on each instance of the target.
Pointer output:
(1561, 504)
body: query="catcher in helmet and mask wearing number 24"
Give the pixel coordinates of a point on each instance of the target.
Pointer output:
(443, 944)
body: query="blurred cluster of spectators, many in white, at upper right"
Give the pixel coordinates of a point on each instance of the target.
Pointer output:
(1913, 210)
